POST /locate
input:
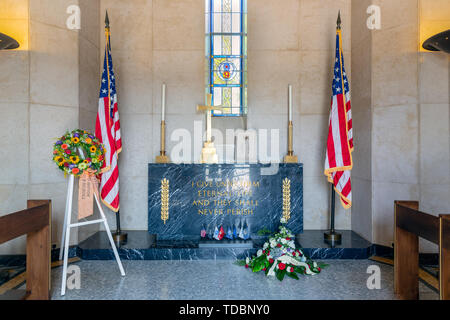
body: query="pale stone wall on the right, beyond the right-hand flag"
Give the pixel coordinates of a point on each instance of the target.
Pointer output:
(401, 93)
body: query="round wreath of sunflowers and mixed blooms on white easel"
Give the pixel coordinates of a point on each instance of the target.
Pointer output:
(78, 151)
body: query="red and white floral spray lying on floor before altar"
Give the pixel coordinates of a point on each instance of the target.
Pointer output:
(279, 257)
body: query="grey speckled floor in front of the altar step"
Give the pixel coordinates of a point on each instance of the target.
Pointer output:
(208, 280)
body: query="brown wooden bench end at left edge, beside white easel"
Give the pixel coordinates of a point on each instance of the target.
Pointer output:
(35, 222)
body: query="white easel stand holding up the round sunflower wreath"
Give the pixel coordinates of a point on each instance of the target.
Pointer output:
(66, 233)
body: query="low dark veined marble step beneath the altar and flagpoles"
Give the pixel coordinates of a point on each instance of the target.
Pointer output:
(144, 246)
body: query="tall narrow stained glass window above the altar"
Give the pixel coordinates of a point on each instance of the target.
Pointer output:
(226, 55)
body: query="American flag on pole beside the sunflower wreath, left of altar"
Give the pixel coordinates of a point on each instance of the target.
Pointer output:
(107, 130)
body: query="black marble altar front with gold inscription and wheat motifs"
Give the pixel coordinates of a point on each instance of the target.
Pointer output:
(222, 194)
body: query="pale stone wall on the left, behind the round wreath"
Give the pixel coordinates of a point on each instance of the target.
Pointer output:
(43, 86)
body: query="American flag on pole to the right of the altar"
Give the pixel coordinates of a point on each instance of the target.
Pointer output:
(338, 161)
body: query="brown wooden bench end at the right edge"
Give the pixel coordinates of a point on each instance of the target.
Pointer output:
(410, 224)
